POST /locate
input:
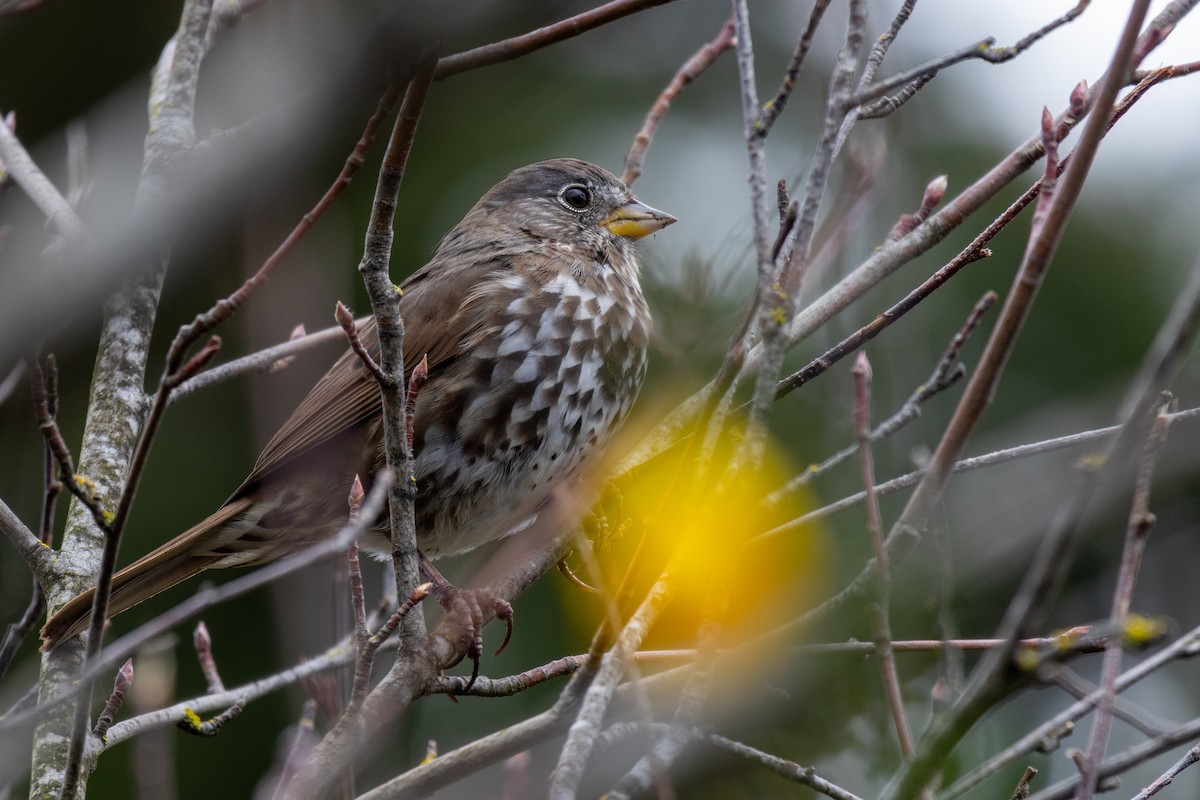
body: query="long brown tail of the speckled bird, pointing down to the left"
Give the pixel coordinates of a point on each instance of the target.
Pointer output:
(165, 568)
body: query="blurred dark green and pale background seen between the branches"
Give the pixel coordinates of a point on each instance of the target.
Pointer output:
(79, 69)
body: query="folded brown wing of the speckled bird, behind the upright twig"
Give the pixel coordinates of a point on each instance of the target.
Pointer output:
(435, 327)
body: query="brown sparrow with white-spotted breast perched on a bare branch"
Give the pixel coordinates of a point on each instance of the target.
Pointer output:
(536, 330)
